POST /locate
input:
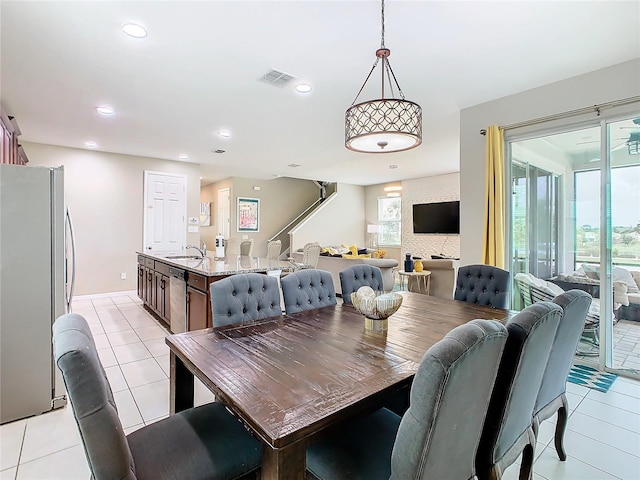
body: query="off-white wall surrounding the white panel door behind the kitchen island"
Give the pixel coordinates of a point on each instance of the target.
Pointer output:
(104, 193)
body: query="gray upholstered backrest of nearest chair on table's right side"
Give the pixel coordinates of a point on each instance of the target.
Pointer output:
(439, 433)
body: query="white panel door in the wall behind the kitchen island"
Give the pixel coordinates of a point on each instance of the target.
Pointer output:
(165, 211)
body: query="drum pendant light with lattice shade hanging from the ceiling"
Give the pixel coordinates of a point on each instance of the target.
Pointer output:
(384, 125)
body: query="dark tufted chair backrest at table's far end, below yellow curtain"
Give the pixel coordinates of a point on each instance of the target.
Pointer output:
(483, 285)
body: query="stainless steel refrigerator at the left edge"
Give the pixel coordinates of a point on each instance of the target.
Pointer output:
(33, 288)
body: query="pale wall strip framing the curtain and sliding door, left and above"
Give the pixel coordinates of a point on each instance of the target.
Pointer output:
(601, 86)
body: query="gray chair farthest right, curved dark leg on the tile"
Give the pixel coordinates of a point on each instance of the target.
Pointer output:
(552, 395)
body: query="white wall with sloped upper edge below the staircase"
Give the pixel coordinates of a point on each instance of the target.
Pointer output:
(338, 220)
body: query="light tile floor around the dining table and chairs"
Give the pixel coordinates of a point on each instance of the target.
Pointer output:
(602, 440)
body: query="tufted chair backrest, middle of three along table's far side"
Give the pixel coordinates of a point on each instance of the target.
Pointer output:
(307, 289)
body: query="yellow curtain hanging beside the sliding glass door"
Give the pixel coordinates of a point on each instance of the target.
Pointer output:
(494, 221)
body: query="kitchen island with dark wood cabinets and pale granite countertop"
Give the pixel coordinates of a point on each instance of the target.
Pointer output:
(175, 286)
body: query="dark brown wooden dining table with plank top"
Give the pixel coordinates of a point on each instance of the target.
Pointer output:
(290, 379)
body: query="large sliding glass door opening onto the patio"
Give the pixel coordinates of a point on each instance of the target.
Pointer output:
(575, 222)
